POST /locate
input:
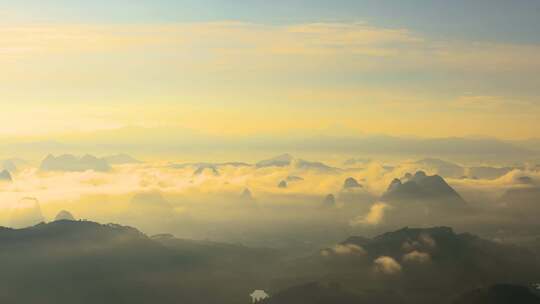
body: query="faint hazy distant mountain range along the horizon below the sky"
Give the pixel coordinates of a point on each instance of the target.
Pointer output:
(161, 140)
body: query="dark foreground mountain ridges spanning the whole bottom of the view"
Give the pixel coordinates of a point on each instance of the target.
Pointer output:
(93, 263)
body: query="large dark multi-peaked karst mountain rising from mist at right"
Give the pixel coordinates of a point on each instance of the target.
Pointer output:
(421, 188)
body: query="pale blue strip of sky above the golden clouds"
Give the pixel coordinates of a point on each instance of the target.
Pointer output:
(500, 20)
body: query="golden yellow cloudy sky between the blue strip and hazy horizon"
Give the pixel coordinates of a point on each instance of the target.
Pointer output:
(244, 78)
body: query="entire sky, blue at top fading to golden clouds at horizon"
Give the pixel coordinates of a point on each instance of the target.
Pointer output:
(242, 68)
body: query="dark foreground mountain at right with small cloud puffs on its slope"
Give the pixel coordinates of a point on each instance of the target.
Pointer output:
(405, 262)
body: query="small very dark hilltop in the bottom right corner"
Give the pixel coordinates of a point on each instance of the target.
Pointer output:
(499, 294)
